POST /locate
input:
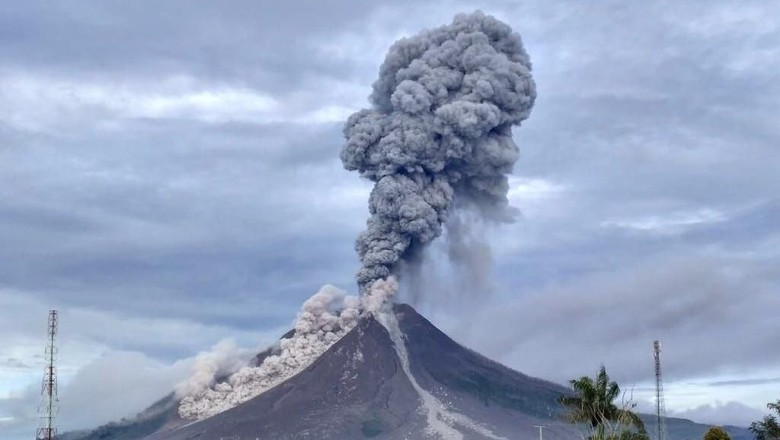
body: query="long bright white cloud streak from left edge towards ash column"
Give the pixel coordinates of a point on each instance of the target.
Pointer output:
(41, 103)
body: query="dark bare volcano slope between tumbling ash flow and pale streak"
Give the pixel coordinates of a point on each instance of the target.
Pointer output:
(354, 390)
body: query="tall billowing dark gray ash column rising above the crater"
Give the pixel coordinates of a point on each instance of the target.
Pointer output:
(439, 131)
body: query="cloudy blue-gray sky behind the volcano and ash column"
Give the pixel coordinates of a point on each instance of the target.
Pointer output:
(170, 178)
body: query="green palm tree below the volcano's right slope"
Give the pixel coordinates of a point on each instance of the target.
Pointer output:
(593, 404)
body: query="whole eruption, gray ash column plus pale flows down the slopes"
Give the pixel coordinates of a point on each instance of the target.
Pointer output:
(438, 138)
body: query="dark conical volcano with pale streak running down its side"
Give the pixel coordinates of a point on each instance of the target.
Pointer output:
(362, 387)
